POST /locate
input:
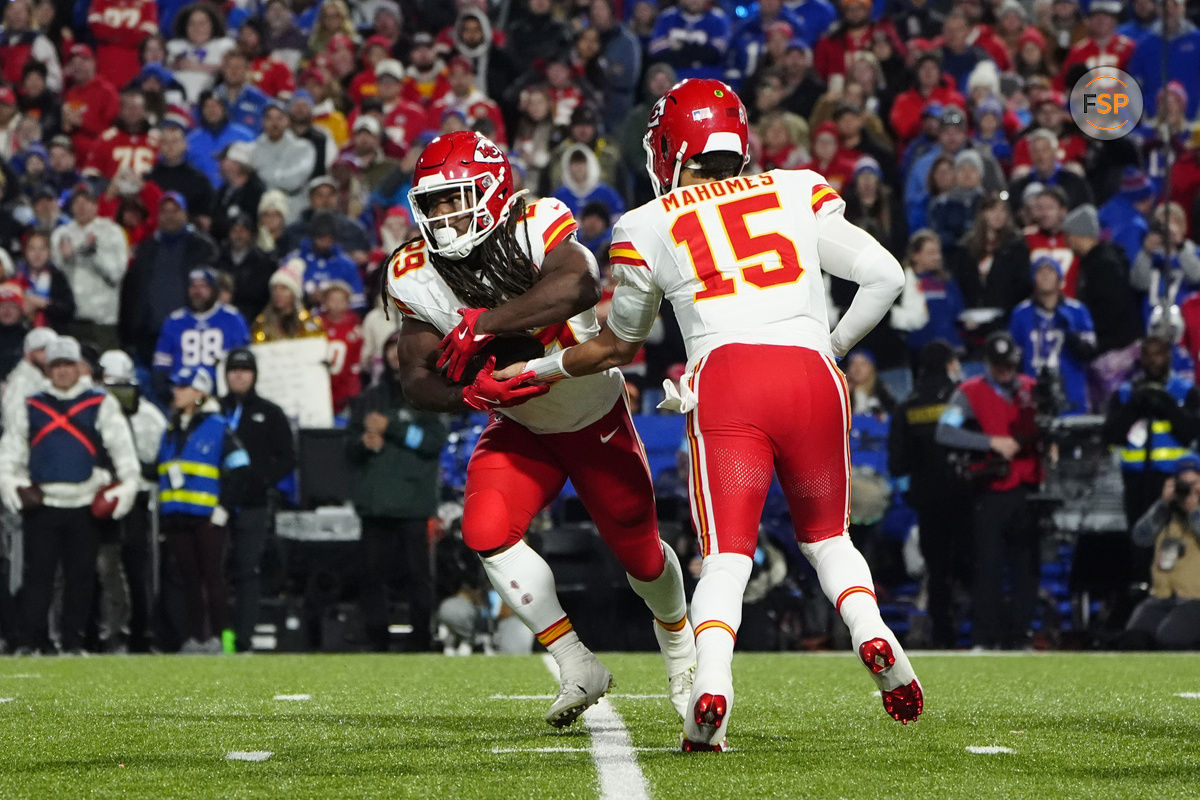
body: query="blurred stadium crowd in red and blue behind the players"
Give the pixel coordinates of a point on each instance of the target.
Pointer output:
(183, 179)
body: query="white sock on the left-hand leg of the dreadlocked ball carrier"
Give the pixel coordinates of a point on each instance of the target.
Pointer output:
(526, 584)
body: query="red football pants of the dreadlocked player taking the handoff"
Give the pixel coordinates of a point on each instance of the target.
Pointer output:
(515, 473)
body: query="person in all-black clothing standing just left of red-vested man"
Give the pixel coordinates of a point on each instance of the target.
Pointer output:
(935, 492)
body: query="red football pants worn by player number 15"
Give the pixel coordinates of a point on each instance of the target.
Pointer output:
(761, 410)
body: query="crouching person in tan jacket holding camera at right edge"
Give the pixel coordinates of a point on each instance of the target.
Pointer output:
(1171, 616)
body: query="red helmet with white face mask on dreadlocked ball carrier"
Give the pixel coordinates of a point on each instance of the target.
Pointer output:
(479, 171)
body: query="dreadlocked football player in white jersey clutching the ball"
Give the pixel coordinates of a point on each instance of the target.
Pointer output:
(488, 264)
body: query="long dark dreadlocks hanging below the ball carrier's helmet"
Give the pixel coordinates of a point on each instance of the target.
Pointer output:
(503, 273)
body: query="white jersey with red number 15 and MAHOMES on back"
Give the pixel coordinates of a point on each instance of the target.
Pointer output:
(737, 260)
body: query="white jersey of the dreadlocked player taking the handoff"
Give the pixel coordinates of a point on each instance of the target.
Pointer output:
(419, 292)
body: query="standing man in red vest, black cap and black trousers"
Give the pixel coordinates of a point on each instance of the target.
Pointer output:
(1003, 408)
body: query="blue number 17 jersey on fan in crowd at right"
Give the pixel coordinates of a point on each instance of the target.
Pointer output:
(1045, 338)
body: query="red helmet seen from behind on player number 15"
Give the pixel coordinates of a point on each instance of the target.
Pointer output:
(698, 116)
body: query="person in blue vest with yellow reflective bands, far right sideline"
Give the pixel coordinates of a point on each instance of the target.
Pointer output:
(1154, 420)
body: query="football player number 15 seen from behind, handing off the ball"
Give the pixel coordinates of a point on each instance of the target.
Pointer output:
(740, 258)
